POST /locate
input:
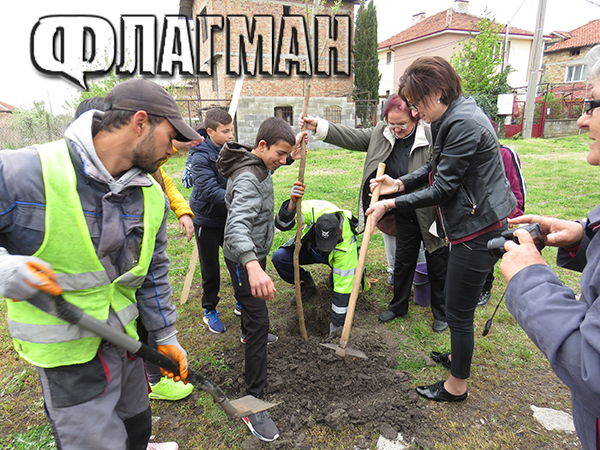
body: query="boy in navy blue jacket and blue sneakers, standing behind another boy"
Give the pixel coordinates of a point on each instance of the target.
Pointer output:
(207, 202)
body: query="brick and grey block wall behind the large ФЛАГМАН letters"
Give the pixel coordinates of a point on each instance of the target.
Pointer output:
(262, 94)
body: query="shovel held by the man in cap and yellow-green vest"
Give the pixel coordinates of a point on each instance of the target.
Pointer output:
(58, 307)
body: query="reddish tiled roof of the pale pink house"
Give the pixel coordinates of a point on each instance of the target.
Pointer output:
(448, 20)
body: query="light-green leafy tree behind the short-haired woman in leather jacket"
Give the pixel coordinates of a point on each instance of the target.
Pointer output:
(479, 65)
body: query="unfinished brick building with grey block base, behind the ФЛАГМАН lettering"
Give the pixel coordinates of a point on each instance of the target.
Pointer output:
(232, 33)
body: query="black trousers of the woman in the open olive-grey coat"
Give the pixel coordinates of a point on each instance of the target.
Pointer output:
(408, 242)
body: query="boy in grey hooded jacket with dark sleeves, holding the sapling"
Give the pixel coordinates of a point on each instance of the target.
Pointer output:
(248, 238)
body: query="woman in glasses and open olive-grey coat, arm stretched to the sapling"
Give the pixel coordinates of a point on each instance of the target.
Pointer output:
(400, 142)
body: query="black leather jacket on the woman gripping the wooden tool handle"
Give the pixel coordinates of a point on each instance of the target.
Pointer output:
(468, 179)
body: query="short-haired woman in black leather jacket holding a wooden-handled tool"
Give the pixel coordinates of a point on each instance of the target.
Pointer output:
(465, 179)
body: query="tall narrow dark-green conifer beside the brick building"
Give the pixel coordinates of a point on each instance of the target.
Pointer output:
(366, 71)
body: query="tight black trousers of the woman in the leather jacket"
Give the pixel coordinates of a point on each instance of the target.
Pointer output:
(468, 266)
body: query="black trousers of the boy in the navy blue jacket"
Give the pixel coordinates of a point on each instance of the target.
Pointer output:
(209, 240)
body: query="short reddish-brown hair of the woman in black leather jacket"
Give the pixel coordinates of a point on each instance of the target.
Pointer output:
(428, 74)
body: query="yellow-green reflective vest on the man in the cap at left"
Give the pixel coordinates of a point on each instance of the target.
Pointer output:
(44, 340)
